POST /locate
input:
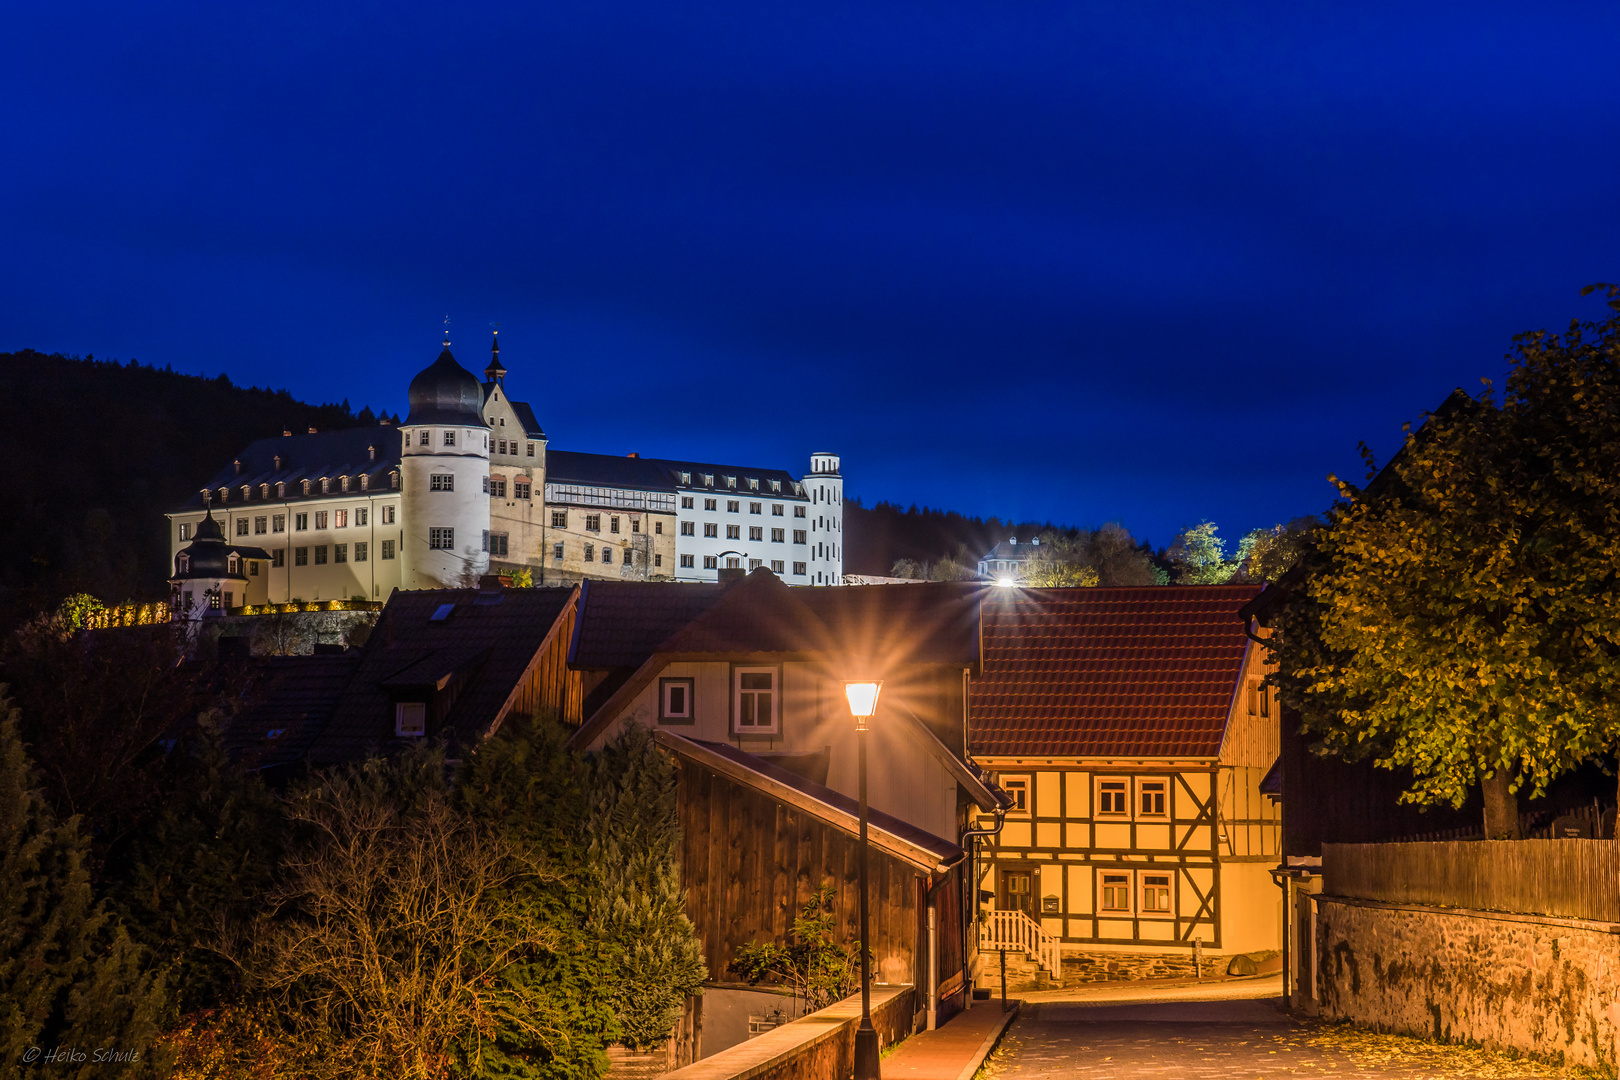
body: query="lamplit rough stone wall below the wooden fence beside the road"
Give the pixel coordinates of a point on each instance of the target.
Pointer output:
(1535, 984)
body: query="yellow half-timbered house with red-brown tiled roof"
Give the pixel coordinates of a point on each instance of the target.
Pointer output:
(1133, 731)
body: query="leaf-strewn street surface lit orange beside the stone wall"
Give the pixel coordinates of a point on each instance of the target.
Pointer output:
(1226, 1040)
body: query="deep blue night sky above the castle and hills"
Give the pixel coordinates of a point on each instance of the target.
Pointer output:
(1141, 263)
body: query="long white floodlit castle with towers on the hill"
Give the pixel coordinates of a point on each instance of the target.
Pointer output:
(467, 487)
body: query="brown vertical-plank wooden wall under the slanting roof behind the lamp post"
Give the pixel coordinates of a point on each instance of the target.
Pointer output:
(751, 862)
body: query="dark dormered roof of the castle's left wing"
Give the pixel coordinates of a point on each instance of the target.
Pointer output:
(330, 454)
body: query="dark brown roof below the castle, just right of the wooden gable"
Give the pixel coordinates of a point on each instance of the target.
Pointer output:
(625, 623)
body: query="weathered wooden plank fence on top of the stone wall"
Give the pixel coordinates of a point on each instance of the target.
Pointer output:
(1566, 878)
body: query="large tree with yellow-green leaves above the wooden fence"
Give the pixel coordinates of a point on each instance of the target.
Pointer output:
(1460, 614)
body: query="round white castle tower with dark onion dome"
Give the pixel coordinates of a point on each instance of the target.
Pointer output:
(445, 478)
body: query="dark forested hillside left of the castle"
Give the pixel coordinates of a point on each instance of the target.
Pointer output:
(100, 451)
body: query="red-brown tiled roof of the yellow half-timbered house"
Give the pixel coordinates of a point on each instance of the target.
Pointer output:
(1098, 673)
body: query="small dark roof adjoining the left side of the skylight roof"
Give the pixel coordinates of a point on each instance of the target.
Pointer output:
(291, 700)
